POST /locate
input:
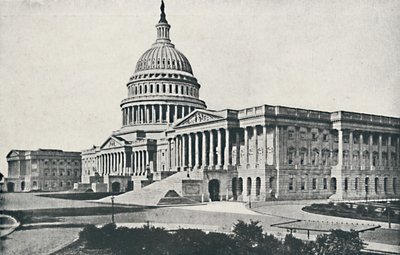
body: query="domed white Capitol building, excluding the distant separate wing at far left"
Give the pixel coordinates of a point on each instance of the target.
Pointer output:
(170, 141)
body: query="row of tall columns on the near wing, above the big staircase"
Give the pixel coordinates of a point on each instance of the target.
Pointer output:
(213, 148)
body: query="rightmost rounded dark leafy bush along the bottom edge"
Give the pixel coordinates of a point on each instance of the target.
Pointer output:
(336, 243)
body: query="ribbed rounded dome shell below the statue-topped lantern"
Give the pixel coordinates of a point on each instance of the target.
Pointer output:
(163, 56)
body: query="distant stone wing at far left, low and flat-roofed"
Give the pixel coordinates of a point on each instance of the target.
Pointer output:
(45, 170)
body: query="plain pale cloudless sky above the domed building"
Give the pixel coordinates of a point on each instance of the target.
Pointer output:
(64, 64)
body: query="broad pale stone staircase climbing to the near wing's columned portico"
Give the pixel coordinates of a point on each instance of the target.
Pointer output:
(151, 194)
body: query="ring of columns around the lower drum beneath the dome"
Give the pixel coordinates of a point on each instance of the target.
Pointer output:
(154, 113)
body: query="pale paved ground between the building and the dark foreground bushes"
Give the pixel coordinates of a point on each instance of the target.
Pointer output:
(214, 216)
